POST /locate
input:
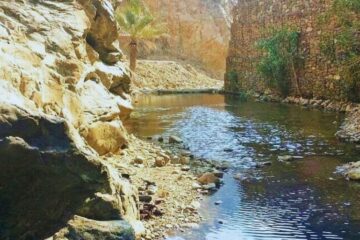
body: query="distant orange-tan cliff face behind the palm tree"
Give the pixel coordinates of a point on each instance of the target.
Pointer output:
(199, 31)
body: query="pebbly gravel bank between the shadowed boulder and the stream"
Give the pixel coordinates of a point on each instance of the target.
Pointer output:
(171, 183)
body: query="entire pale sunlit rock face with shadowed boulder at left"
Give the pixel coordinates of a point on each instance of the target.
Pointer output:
(63, 94)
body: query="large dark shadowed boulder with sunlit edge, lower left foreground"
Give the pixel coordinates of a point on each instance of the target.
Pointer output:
(40, 153)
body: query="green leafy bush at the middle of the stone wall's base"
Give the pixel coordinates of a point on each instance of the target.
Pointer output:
(281, 59)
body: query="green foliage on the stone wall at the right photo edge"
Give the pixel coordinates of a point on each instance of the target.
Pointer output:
(340, 43)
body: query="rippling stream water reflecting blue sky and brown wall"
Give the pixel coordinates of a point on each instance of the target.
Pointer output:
(305, 199)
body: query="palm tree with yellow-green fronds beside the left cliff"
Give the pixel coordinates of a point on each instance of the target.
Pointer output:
(135, 19)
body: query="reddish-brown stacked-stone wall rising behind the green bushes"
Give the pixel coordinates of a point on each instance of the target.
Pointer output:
(318, 77)
